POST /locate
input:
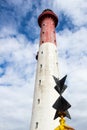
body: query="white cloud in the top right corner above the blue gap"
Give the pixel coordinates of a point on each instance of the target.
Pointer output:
(75, 9)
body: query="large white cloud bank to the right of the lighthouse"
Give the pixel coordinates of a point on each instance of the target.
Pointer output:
(72, 51)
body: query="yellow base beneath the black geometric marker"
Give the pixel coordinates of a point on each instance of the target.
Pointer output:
(62, 125)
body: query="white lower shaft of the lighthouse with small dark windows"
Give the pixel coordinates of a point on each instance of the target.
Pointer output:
(44, 94)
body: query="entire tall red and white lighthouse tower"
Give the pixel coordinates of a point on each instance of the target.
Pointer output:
(47, 66)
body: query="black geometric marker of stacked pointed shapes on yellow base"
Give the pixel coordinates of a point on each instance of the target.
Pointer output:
(61, 105)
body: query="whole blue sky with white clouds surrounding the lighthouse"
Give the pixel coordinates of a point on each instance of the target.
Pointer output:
(19, 42)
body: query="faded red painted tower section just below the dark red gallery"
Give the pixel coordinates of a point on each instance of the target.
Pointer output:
(48, 31)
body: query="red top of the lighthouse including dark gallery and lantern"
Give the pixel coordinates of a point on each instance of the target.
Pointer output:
(48, 21)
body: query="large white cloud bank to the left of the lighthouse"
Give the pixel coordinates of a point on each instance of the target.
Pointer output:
(17, 83)
